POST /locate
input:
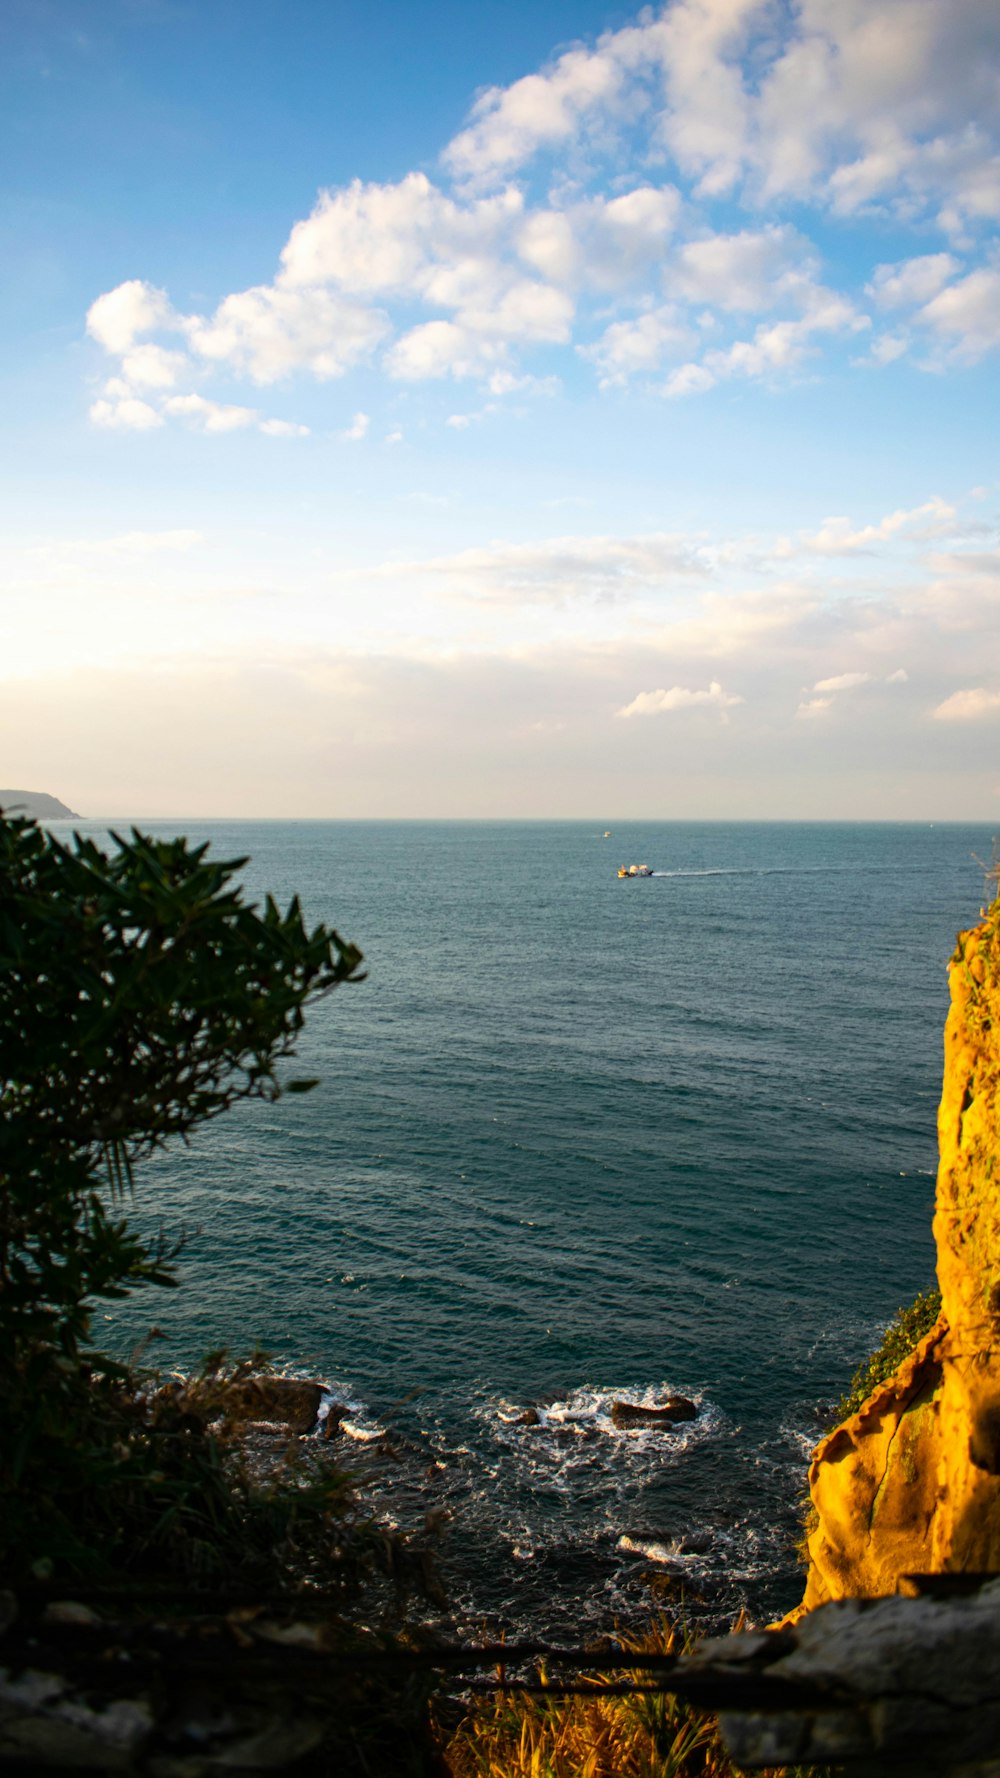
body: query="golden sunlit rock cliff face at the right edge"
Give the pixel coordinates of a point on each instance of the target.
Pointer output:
(912, 1482)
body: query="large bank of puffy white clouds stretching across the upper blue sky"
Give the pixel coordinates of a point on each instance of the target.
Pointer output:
(867, 106)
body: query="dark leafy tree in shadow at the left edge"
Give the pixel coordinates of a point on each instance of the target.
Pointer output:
(140, 997)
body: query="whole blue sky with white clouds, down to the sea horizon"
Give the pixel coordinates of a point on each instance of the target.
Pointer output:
(503, 410)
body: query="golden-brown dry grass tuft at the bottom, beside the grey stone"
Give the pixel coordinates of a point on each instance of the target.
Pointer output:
(595, 1736)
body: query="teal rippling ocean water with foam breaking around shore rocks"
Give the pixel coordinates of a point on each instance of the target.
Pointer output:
(581, 1141)
